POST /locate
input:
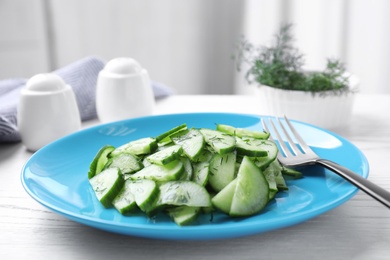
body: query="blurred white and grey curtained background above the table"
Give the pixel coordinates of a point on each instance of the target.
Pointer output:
(188, 44)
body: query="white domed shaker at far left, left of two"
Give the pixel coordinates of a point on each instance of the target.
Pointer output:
(47, 110)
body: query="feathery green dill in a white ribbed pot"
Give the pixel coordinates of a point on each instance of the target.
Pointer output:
(324, 98)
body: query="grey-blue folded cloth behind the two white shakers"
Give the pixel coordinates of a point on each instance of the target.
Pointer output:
(81, 75)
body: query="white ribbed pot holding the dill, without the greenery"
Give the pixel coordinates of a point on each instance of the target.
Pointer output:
(327, 111)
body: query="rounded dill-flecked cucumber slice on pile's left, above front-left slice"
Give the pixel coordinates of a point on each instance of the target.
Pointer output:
(126, 162)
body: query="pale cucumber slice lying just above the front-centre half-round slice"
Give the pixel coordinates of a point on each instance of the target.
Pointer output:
(160, 173)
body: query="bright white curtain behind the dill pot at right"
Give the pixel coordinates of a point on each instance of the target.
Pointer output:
(356, 32)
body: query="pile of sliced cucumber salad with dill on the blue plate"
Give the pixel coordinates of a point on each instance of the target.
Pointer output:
(185, 172)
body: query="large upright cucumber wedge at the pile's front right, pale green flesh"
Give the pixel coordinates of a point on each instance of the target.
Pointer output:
(251, 194)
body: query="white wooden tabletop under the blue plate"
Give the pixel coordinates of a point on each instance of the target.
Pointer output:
(358, 229)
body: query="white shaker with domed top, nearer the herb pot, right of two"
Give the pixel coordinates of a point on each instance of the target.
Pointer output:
(123, 91)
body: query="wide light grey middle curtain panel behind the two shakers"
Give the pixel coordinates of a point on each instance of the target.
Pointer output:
(186, 45)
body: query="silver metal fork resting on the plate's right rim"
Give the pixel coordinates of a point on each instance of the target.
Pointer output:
(304, 155)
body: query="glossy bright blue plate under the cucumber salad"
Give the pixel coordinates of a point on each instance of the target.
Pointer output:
(56, 177)
